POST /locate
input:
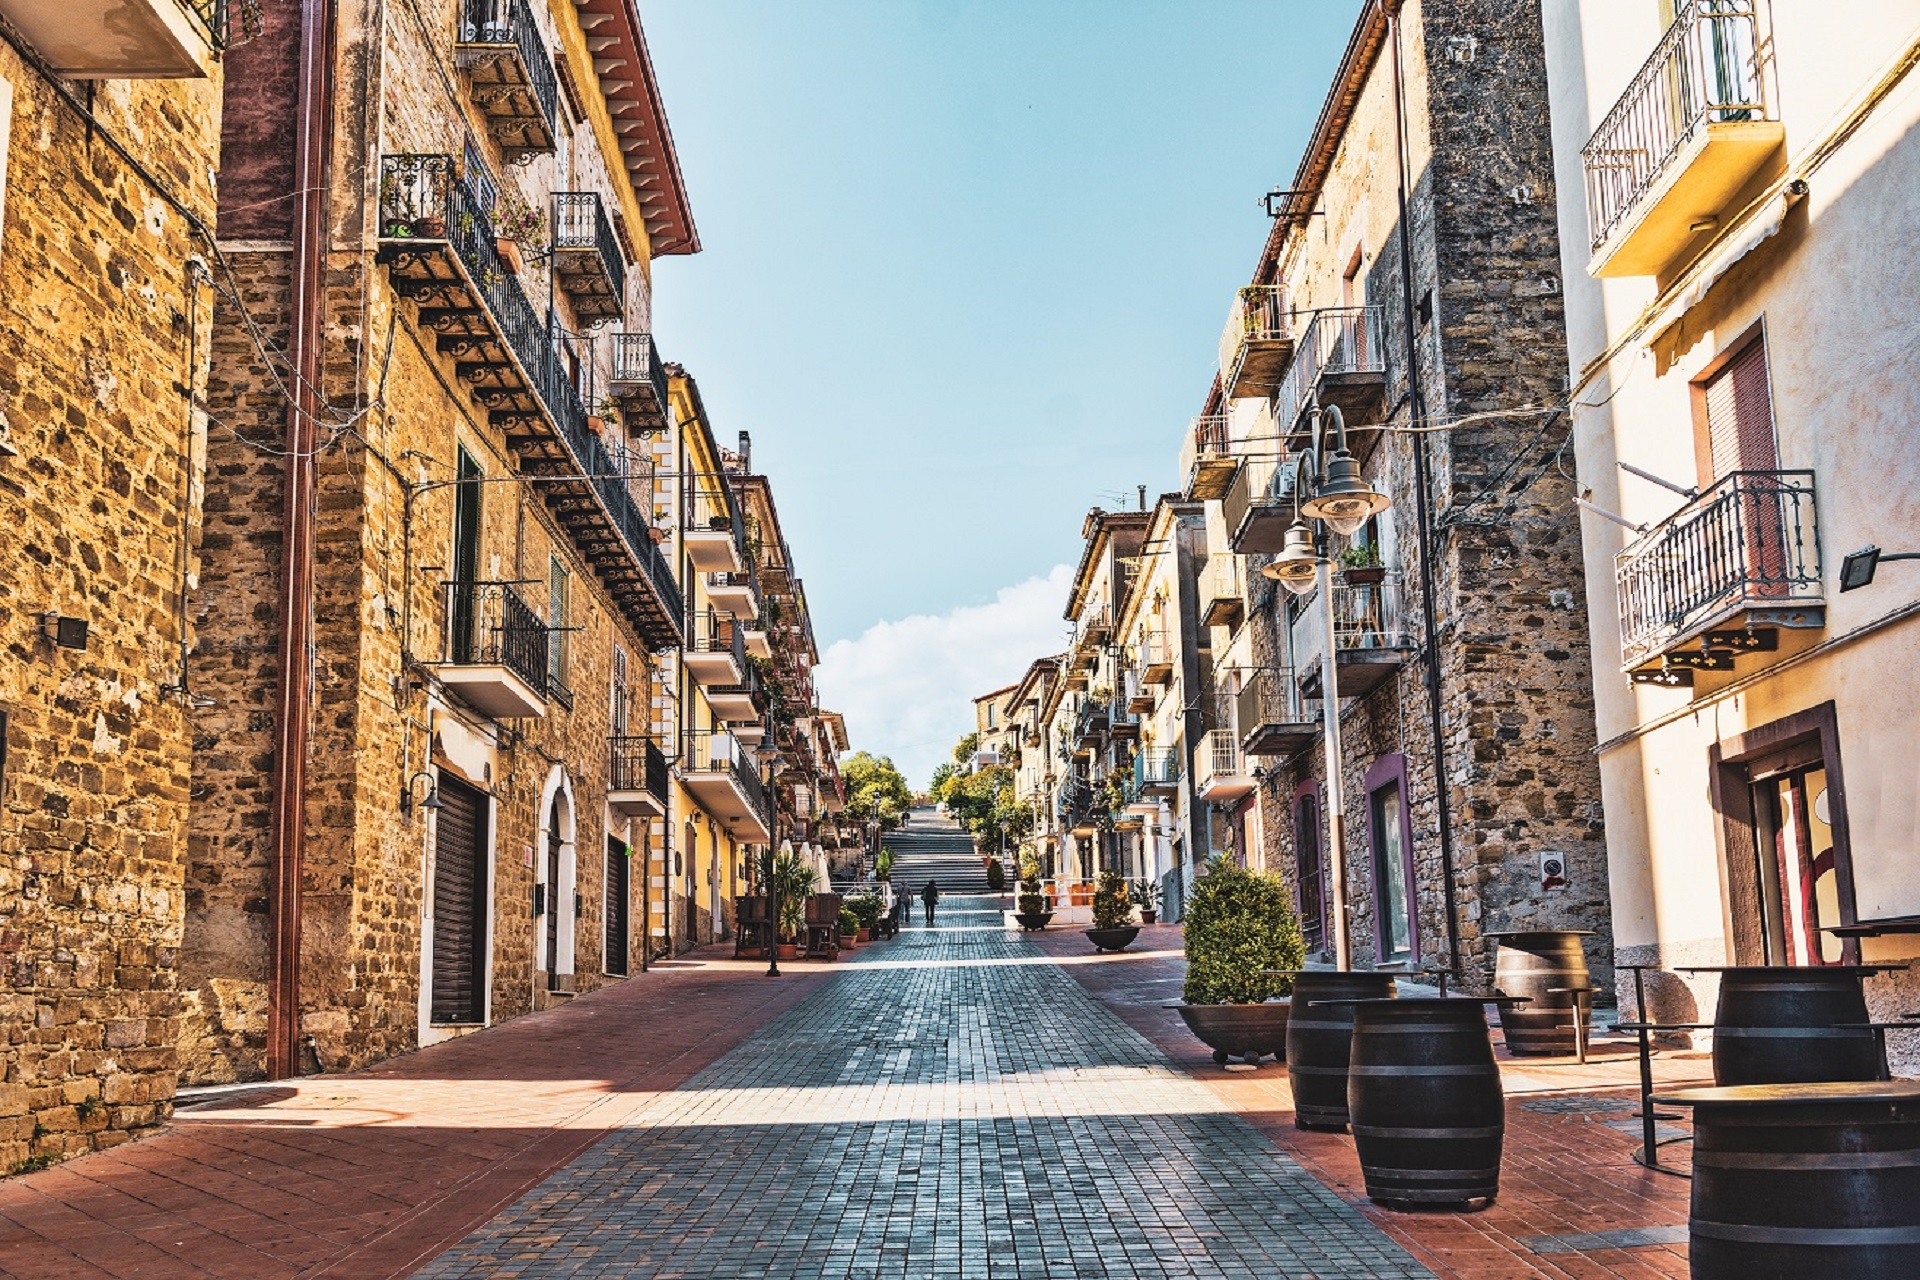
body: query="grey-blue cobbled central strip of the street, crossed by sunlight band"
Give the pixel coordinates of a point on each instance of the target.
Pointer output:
(946, 1106)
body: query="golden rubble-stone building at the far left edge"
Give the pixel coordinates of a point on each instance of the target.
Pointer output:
(108, 143)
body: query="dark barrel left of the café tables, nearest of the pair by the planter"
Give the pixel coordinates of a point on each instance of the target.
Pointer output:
(1426, 1104)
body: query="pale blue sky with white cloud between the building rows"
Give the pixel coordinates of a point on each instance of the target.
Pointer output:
(963, 279)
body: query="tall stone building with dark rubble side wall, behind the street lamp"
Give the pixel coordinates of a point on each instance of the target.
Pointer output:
(1412, 279)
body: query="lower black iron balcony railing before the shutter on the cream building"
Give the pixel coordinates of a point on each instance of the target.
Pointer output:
(1746, 544)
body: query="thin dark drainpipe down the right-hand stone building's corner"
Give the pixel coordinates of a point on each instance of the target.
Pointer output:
(1422, 485)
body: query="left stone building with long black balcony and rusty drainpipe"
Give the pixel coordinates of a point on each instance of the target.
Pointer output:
(433, 596)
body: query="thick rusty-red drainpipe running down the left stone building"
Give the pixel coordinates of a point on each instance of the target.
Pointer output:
(312, 147)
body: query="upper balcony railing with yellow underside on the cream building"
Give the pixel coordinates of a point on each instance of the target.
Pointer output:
(1704, 72)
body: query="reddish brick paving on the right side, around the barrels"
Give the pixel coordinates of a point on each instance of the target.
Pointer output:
(1573, 1204)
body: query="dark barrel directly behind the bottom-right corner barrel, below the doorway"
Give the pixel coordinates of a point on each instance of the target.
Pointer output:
(1794, 1026)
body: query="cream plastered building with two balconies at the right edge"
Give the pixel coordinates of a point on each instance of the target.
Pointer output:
(1742, 348)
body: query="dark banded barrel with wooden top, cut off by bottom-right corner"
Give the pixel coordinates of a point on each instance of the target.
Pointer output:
(1806, 1181)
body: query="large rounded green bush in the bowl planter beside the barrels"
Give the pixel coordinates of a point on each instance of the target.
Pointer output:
(1237, 924)
